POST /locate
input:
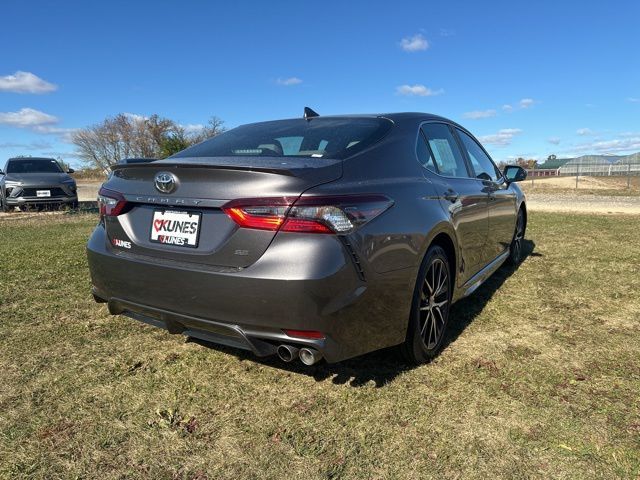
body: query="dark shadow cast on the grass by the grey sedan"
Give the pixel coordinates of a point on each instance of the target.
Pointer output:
(383, 366)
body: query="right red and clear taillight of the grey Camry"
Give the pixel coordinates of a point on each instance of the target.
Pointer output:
(322, 214)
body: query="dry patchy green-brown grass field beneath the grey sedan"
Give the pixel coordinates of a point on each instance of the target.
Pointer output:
(541, 378)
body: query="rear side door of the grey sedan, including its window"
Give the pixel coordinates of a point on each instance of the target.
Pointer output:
(460, 194)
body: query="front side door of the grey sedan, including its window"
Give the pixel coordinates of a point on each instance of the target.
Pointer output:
(501, 198)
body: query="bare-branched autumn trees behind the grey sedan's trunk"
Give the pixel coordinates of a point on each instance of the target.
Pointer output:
(131, 136)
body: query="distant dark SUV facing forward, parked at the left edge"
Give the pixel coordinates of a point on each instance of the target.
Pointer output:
(36, 182)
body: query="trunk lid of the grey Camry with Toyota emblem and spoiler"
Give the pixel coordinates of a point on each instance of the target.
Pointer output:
(200, 190)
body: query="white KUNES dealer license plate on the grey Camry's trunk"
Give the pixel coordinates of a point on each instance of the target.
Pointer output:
(175, 228)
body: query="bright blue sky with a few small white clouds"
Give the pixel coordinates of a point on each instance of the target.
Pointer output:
(527, 78)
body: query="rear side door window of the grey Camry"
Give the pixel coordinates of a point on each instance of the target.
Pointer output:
(446, 153)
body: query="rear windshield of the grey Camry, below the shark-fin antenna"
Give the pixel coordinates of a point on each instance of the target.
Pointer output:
(336, 138)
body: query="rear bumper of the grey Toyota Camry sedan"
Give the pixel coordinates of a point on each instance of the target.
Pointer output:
(302, 282)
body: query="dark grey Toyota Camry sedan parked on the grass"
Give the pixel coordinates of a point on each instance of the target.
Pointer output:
(319, 237)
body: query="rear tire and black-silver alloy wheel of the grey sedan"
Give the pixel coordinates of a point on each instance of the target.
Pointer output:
(429, 308)
